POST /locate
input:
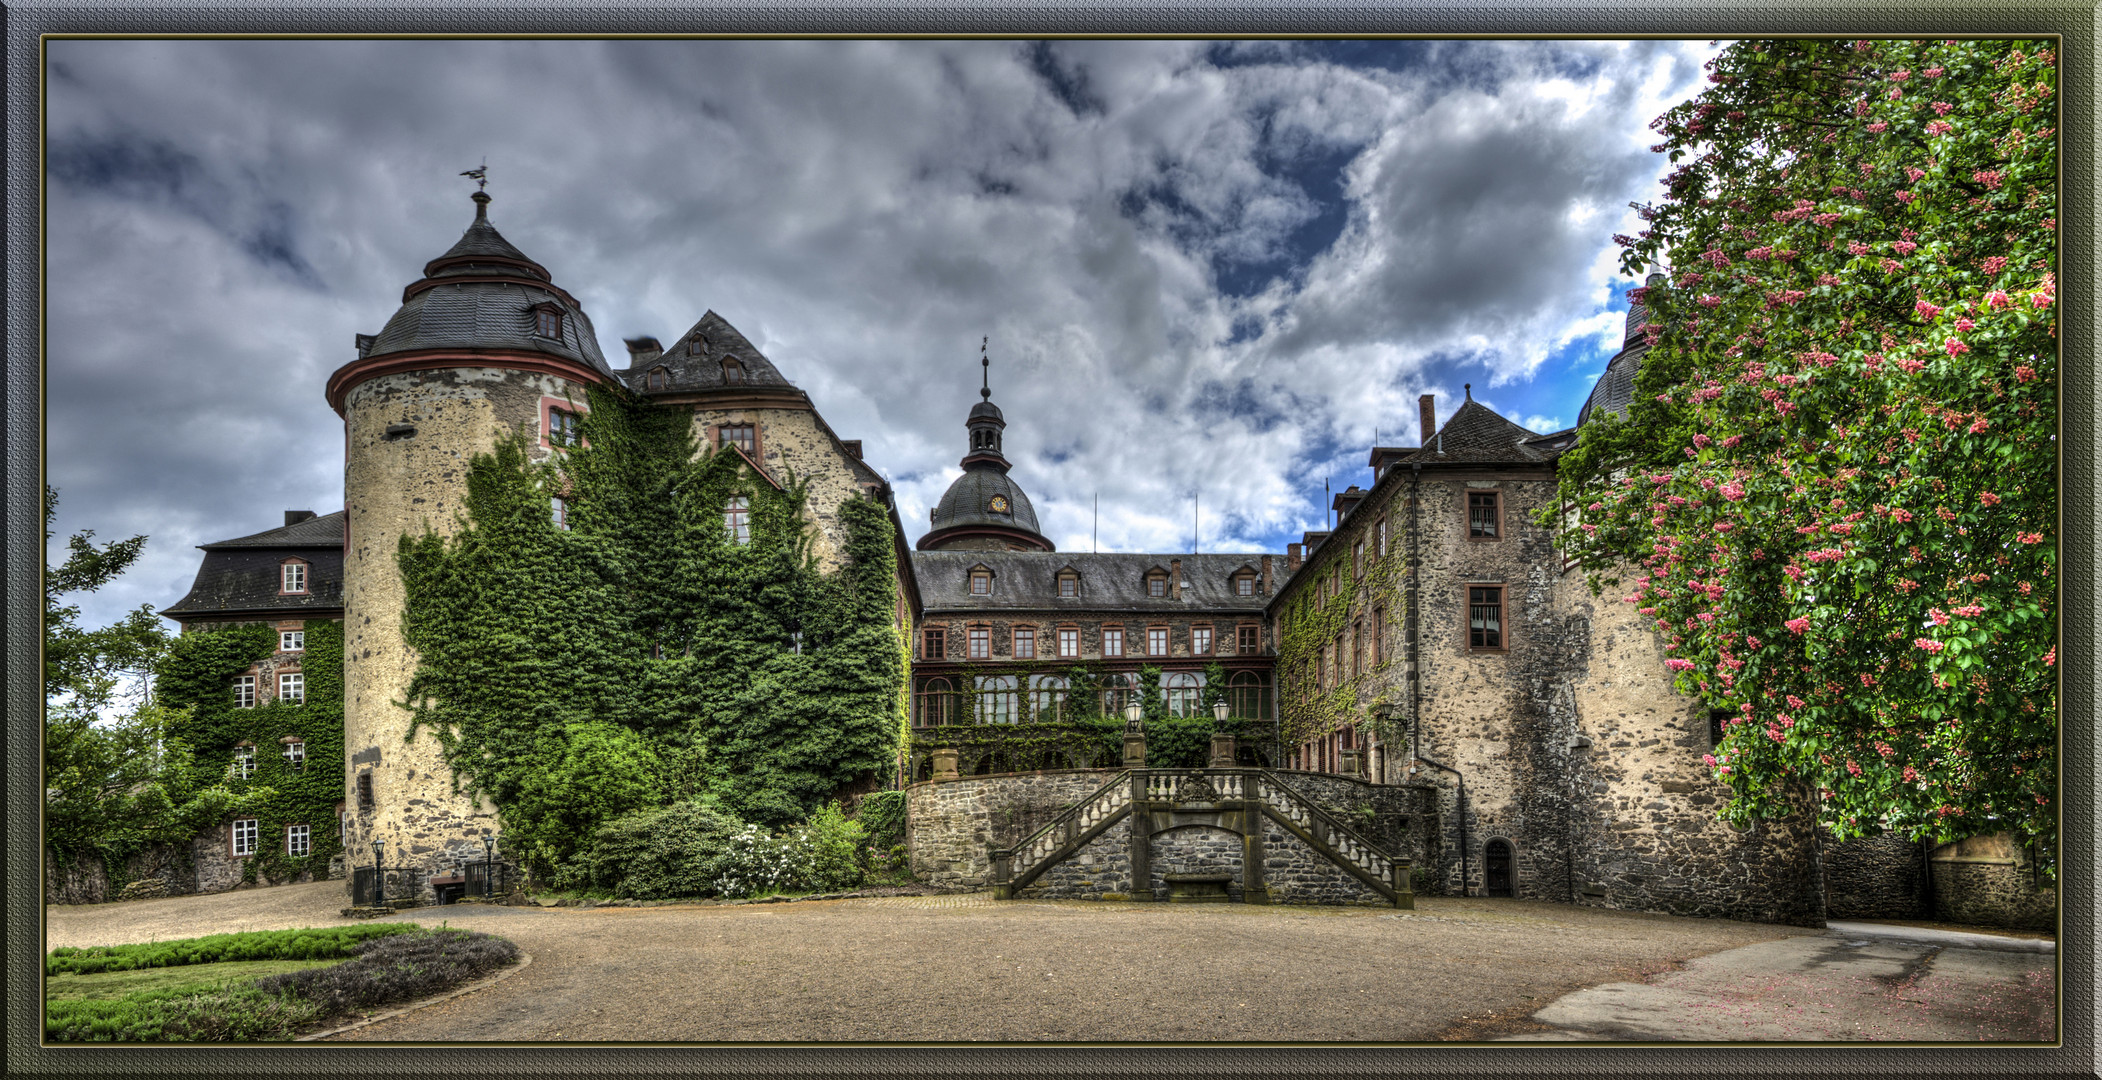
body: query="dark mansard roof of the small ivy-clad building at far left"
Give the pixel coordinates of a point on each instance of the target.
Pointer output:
(241, 577)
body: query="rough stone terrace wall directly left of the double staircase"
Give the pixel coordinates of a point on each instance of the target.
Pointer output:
(953, 825)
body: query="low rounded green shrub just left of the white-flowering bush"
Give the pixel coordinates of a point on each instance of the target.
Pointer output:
(659, 854)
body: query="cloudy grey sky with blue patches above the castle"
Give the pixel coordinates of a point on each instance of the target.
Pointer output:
(1205, 268)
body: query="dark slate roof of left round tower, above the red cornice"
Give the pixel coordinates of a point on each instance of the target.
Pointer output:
(482, 295)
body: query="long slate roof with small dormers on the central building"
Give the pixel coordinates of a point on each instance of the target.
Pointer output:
(1027, 581)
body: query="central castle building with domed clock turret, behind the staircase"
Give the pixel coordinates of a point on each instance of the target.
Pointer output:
(1008, 623)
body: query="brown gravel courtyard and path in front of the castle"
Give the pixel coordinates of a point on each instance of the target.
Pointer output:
(972, 970)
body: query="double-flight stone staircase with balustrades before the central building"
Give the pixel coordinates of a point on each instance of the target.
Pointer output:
(1235, 802)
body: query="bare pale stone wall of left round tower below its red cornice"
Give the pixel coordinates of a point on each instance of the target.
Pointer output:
(400, 489)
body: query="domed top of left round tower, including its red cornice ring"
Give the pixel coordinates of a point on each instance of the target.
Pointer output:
(482, 304)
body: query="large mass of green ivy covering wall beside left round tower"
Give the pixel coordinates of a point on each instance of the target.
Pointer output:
(644, 655)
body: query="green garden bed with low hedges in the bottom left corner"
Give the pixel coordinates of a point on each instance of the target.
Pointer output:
(255, 986)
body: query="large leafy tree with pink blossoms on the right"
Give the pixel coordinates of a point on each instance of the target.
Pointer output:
(1836, 486)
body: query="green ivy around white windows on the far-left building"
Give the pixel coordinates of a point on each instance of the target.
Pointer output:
(199, 676)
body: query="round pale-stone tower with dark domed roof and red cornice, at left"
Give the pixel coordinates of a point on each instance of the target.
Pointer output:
(485, 344)
